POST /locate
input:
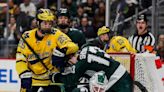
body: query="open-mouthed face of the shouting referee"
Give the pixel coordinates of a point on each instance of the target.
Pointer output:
(141, 27)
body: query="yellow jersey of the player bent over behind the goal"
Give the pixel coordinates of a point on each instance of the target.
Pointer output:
(120, 44)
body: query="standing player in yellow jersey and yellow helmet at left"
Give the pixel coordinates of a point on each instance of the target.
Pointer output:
(34, 52)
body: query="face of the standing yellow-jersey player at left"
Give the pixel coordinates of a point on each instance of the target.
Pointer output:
(46, 26)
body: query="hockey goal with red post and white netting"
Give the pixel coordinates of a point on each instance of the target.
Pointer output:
(142, 69)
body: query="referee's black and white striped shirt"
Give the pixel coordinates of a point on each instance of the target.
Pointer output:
(139, 41)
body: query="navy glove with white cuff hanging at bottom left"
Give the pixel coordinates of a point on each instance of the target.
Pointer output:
(26, 82)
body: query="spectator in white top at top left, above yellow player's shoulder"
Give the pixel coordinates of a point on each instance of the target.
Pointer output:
(28, 7)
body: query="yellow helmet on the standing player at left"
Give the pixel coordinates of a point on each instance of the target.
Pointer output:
(45, 15)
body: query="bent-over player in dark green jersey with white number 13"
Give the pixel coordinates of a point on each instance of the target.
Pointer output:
(90, 60)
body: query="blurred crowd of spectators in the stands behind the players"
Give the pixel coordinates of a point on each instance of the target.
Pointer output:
(86, 15)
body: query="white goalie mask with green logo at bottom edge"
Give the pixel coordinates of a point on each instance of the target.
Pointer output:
(98, 82)
